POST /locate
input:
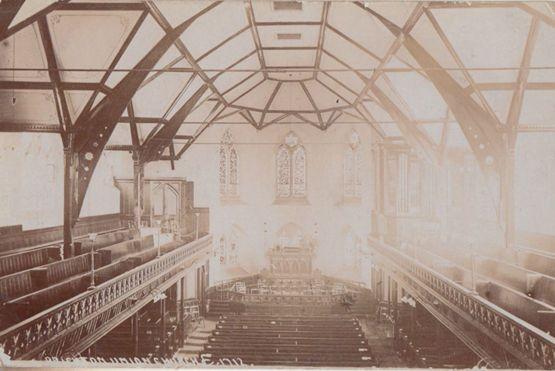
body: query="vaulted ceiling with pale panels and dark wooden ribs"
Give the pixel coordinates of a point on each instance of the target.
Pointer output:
(268, 63)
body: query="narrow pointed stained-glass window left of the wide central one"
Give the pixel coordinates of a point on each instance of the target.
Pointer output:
(228, 166)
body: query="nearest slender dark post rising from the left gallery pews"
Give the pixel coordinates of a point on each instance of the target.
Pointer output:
(69, 181)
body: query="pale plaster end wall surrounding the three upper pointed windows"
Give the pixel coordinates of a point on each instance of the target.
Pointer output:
(326, 216)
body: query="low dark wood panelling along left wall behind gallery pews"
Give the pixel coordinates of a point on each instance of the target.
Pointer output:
(18, 238)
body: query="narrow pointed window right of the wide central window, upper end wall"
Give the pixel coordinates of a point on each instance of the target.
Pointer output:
(352, 164)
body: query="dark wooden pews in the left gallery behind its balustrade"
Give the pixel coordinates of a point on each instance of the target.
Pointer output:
(39, 279)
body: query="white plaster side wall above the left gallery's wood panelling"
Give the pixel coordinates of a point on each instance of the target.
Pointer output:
(31, 181)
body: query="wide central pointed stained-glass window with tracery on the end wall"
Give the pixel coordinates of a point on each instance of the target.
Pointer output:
(291, 168)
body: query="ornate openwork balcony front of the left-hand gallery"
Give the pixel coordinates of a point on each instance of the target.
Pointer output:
(74, 325)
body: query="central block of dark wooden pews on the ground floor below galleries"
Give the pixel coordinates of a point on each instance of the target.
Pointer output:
(270, 340)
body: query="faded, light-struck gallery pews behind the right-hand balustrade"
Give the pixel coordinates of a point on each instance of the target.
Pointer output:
(521, 281)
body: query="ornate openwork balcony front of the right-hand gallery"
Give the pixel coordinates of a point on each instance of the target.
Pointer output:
(531, 346)
